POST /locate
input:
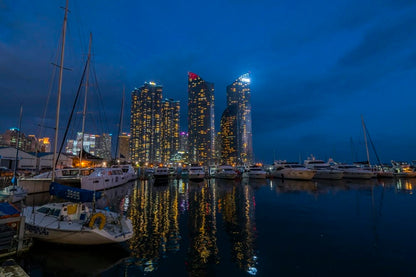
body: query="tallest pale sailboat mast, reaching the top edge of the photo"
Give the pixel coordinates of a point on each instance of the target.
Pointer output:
(58, 105)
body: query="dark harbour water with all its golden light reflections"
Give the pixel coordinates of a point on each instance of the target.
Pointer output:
(264, 228)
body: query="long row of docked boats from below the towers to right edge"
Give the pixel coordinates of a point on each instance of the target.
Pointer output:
(311, 169)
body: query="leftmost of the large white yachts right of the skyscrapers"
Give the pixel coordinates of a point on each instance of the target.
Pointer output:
(294, 171)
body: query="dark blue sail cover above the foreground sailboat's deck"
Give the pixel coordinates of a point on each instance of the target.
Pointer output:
(73, 194)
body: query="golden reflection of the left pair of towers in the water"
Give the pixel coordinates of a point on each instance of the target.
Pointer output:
(155, 215)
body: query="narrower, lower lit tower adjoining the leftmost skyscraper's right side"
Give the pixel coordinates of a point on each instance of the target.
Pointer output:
(169, 129)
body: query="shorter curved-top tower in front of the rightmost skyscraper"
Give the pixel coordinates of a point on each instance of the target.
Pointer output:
(229, 144)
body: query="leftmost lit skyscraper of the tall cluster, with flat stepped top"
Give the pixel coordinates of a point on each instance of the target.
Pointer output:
(146, 109)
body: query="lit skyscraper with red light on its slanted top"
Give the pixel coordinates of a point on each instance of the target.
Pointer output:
(201, 120)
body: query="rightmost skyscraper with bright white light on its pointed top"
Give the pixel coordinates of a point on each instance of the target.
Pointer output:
(238, 93)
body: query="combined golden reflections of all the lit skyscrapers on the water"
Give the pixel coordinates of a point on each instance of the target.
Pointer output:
(156, 212)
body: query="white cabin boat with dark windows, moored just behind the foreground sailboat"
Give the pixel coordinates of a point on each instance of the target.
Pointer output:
(104, 178)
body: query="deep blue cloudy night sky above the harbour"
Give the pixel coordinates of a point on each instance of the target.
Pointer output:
(316, 67)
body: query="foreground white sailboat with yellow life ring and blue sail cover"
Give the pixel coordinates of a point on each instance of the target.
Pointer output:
(75, 222)
